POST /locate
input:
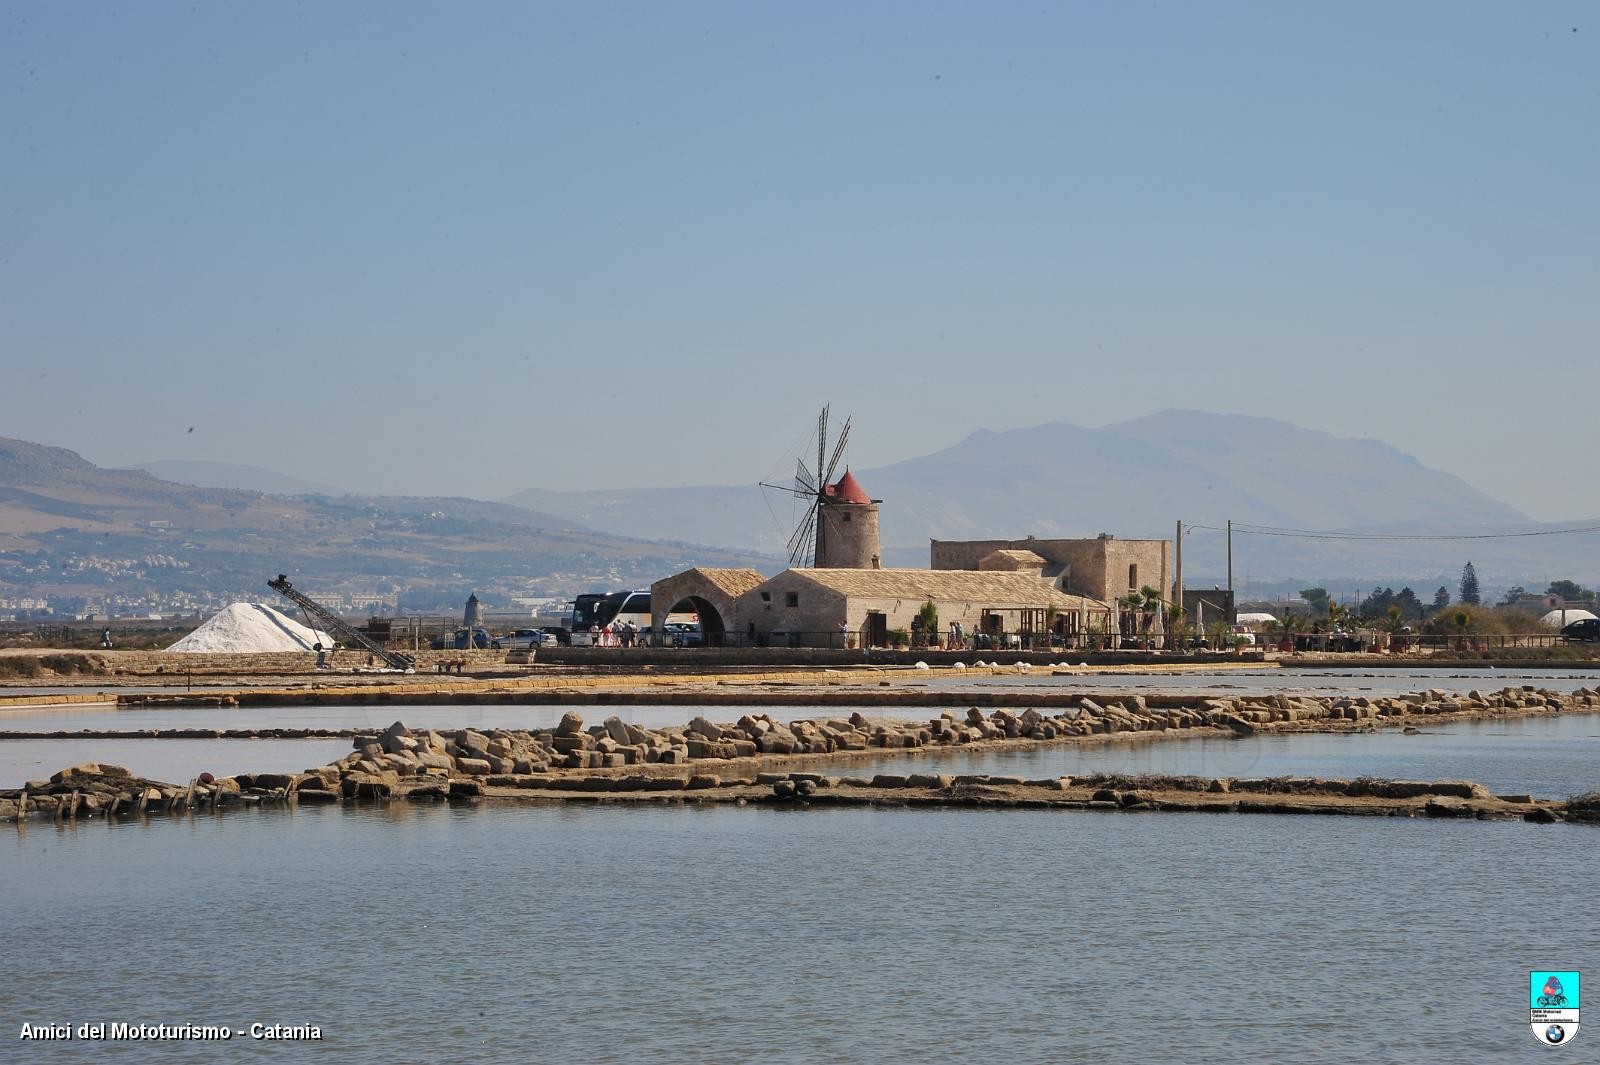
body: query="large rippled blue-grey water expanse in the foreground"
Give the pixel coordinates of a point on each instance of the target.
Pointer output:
(681, 935)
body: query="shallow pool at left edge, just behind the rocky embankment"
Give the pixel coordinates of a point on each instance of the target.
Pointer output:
(175, 762)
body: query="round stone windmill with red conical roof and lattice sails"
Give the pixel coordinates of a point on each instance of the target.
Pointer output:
(841, 525)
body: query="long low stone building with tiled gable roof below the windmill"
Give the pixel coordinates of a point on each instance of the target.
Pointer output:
(820, 608)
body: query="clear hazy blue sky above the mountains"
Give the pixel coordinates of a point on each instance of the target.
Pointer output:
(474, 249)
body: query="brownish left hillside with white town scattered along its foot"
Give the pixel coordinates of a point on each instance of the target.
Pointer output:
(76, 533)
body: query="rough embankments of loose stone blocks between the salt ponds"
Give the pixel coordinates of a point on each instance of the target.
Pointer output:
(710, 762)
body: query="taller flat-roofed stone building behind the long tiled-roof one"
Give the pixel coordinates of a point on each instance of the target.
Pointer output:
(1103, 568)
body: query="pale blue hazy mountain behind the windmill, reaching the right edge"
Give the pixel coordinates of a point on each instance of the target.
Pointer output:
(1137, 481)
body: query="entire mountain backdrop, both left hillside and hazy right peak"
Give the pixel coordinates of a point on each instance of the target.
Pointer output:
(73, 530)
